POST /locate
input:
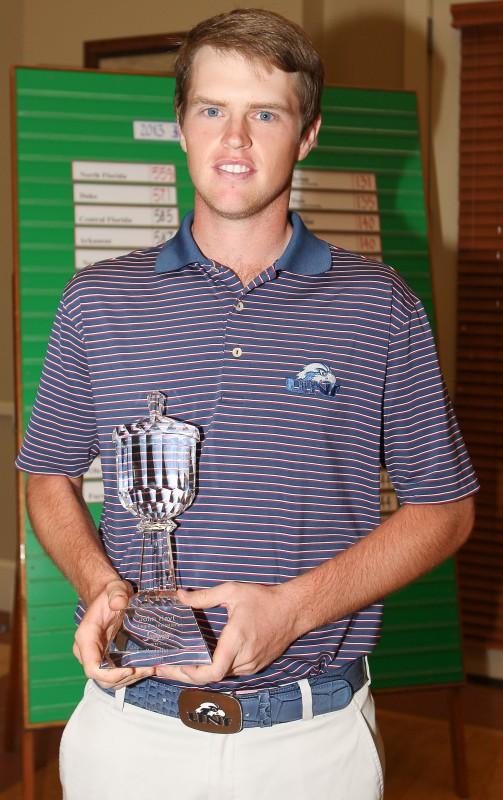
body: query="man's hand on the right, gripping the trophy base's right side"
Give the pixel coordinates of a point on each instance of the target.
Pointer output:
(260, 627)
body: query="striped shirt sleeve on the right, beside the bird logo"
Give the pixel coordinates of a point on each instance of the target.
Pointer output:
(424, 452)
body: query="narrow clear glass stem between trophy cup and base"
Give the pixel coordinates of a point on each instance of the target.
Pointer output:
(157, 567)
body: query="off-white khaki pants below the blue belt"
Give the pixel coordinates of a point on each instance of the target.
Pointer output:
(109, 752)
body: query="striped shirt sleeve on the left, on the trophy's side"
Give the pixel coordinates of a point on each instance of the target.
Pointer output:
(61, 437)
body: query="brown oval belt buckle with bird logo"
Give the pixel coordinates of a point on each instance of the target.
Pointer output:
(213, 712)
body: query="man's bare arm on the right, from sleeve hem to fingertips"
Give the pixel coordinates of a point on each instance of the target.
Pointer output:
(264, 620)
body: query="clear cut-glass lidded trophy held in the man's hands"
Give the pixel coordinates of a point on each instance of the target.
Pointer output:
(156, 472)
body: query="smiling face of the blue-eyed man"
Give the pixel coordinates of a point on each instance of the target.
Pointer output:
(241, 132)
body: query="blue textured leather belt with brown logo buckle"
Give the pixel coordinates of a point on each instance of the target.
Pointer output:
(229, 712)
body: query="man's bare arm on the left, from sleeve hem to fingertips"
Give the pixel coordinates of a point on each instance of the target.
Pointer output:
(64, 526)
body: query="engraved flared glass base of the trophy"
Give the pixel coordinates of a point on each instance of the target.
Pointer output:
(155, 629)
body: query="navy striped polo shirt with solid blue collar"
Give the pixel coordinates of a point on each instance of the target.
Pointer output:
(303, 383)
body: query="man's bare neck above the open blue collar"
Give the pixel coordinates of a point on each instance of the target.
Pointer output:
(247, 246)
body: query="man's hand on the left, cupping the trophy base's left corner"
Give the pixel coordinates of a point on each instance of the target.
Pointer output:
(93, 633)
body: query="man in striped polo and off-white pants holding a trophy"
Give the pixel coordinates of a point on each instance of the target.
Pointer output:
(305, 366)
